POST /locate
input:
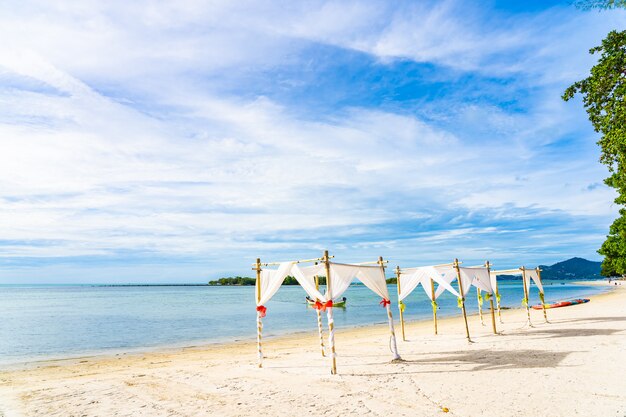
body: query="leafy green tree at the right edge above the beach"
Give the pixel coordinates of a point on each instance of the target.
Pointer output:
(603, 97)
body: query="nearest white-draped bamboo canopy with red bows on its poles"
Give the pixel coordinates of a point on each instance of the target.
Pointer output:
(338, 278)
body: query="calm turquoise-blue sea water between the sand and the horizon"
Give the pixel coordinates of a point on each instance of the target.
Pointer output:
(46, 322)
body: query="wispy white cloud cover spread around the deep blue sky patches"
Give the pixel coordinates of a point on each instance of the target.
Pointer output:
(113, 138)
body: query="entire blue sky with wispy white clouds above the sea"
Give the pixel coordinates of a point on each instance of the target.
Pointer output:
(152, 141)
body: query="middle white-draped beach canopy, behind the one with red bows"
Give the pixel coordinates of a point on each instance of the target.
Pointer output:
(444, 275)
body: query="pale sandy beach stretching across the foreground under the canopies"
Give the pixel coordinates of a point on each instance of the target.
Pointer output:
(575, 365)
